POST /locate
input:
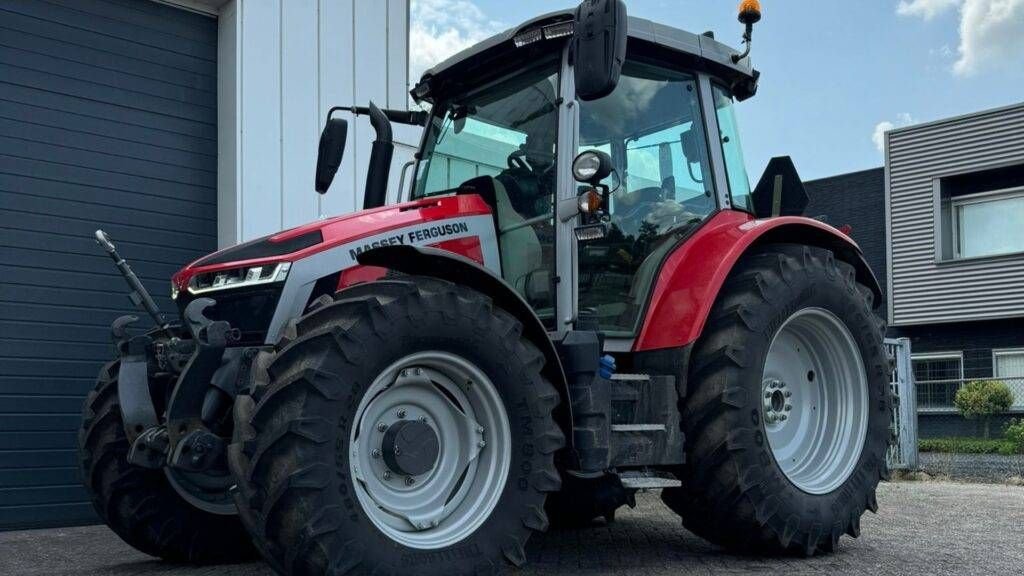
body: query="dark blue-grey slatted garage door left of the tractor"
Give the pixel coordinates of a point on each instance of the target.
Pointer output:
(108, 119)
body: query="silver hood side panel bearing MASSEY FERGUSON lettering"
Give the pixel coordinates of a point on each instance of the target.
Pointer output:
(307, 272)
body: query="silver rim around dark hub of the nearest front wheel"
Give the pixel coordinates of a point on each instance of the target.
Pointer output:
(460, 404)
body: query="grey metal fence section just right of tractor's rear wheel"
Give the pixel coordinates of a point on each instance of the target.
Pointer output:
(904, 451)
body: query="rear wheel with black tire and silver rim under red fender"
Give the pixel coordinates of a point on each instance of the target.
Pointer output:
(789, 413)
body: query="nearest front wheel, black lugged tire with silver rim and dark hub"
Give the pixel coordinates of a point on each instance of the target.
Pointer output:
(424, 366)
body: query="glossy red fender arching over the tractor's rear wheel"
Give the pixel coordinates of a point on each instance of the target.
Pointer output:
(693, 276)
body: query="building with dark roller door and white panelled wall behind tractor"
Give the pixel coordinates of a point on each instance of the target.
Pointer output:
(178, 128)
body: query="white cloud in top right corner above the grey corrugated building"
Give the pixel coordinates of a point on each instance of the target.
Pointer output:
(992, 32)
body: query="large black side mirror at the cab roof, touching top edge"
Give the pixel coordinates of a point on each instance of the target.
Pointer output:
(600, 48)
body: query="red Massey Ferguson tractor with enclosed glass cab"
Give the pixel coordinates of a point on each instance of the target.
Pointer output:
(579, 297)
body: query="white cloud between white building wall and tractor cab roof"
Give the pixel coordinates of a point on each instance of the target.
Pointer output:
(439, 29)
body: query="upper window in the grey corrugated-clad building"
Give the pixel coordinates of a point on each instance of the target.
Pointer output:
(990, 224)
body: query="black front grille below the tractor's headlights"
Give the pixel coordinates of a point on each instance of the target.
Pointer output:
(249, 310)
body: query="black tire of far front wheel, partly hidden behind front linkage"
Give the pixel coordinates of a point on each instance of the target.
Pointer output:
(141, 505)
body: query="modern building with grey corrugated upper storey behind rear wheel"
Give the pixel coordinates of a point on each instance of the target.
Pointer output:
(953, 215)
